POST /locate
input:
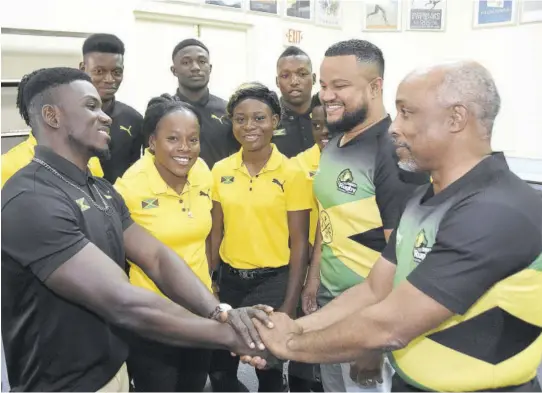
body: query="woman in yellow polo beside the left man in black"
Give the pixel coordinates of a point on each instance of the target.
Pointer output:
(168, 192)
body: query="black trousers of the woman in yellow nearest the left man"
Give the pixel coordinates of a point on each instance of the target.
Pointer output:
(155, 367)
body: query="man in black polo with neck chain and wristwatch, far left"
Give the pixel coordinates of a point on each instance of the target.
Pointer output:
(66, 238)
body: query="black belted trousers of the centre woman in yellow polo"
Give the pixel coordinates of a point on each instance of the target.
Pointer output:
(269, 289)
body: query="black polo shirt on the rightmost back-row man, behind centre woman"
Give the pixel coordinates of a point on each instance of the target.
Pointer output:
(294, 134)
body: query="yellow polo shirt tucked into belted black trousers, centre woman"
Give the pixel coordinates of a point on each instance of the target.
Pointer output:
(255, 209)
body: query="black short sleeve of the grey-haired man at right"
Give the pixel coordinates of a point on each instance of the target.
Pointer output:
(477, 245)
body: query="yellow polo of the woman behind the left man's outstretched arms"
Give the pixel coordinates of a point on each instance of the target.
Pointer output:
(182, 222)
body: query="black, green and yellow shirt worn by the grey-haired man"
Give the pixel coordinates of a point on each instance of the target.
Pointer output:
(475, 248)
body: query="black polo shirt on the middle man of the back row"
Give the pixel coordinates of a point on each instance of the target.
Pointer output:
(216, 134)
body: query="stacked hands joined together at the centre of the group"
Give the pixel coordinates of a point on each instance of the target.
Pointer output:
(264, 334)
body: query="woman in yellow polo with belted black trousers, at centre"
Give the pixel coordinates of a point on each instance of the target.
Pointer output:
(260, 224)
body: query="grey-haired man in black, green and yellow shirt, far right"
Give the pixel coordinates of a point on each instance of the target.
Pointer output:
(455, 297)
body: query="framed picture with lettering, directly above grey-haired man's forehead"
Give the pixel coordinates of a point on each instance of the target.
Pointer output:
(426, 15)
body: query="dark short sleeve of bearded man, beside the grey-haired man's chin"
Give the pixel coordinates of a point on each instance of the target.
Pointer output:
(393, 185)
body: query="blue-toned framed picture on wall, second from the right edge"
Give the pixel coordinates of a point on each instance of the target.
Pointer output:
(491, 13)
